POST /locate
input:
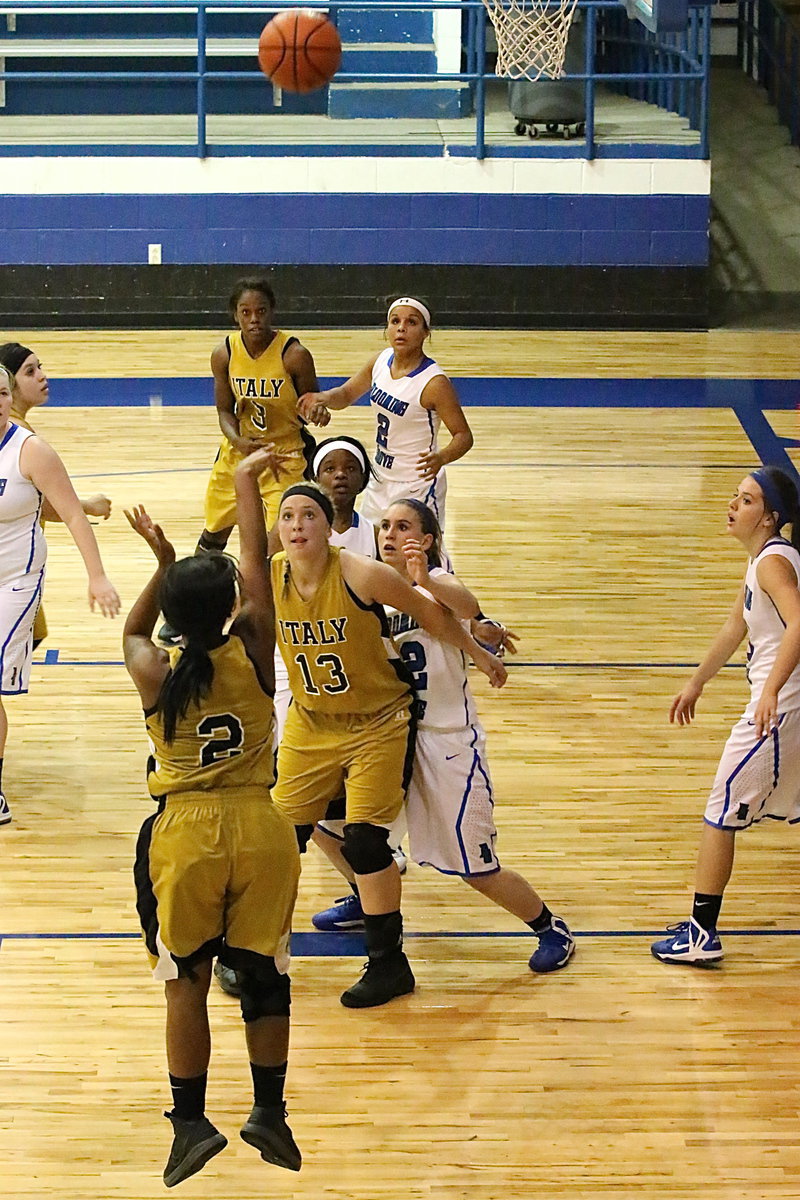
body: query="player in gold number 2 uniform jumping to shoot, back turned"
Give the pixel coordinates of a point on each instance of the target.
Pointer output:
(218, 866)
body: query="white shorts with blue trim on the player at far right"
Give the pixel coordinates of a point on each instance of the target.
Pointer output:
(757, 778)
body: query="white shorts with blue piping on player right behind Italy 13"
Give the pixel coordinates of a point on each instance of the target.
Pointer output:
(450, 806)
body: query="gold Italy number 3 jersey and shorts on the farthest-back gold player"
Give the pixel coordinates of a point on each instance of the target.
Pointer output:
(267, 410)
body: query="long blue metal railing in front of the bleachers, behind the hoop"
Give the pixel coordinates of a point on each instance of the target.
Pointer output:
(671, 71)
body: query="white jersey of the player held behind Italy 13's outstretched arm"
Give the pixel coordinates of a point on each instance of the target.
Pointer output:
(440, 673)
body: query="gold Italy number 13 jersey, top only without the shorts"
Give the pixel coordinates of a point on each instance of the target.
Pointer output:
(339, 652)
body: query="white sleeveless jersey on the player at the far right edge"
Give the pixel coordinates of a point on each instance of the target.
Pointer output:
(767, 629)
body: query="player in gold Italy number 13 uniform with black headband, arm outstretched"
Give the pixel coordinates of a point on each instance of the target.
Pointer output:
(351, 725)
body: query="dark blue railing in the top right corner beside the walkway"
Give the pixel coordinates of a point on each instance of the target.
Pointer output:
(768, 45)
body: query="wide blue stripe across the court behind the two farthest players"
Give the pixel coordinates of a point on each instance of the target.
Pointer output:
(492, 392)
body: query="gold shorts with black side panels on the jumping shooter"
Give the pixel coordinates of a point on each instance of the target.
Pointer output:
(213, 871)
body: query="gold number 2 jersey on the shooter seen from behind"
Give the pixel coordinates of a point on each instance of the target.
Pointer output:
(226, 741)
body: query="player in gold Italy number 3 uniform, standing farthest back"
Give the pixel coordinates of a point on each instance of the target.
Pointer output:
(258, 375)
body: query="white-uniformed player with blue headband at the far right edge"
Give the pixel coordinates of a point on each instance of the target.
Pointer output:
(760, 771)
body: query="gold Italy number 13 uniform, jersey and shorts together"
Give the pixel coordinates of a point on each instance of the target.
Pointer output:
(351, 723)
